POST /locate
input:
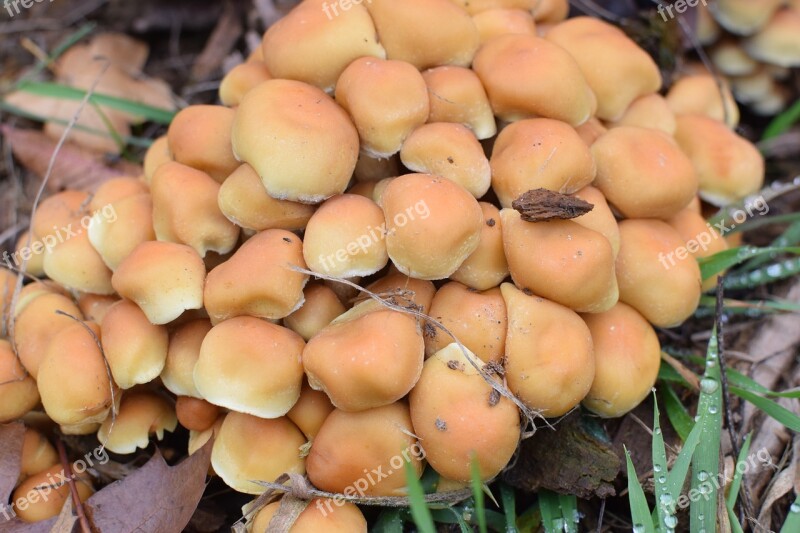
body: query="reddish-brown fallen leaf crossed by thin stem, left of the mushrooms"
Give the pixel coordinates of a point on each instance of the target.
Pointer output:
(75, 167)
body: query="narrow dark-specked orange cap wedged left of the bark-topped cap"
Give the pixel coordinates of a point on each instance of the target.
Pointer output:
(486, 267)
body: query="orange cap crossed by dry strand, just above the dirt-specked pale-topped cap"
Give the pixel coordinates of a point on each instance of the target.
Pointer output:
(477, 319)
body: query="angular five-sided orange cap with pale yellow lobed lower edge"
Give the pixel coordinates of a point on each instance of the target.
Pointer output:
(164, 279)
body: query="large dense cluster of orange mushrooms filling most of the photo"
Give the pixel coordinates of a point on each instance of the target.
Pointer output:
(406, 147)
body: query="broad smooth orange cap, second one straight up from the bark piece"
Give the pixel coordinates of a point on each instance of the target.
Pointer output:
(527, 76)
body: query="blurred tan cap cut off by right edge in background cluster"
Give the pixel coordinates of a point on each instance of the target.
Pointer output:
(778, 42)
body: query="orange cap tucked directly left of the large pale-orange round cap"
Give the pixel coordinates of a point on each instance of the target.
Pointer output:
(200, 137)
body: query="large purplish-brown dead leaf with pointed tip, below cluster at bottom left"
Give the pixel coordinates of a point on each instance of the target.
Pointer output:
(156, 497)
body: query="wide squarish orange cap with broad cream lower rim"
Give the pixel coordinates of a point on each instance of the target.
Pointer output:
(250, 366)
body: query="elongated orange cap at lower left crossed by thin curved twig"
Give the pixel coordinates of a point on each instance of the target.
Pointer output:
(86, 397)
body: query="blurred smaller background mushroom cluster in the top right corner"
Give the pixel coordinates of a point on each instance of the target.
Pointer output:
(755, 45)
